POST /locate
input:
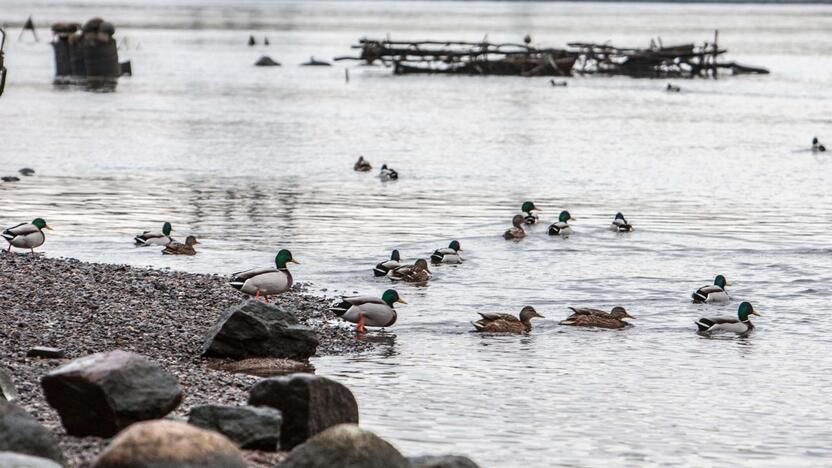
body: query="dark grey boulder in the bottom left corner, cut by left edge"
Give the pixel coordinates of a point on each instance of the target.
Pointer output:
(22, 433)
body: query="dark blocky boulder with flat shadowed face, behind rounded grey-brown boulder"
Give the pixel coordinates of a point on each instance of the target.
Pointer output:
(309, 404)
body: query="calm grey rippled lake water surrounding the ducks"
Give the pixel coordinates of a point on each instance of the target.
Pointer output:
(716, 179)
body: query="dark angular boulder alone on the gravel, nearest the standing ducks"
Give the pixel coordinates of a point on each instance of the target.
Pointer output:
(255, 329)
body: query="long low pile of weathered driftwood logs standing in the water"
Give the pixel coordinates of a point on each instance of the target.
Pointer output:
(486, 58)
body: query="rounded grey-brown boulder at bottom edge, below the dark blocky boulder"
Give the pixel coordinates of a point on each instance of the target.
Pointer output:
(345, 446)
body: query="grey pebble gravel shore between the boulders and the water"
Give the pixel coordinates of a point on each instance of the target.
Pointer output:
(86, 308)
